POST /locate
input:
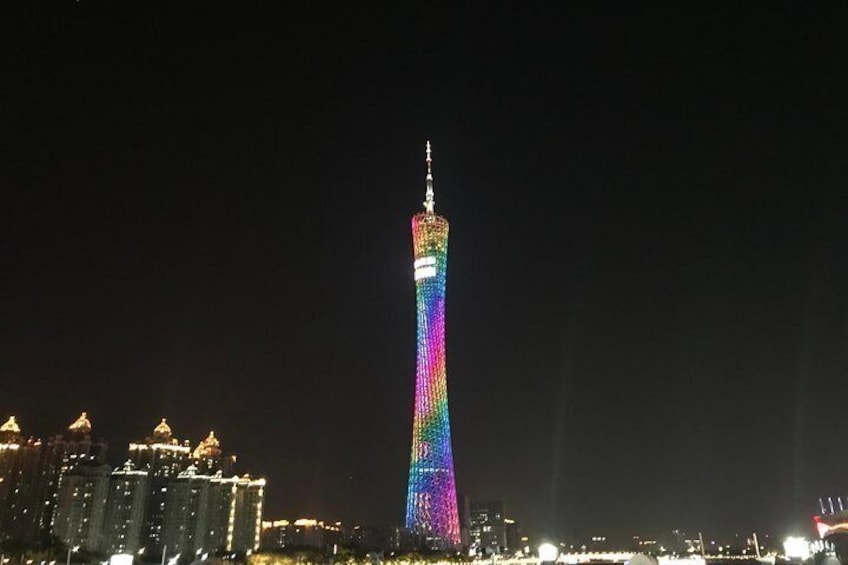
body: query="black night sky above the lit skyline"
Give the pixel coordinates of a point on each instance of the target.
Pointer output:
(206, 216)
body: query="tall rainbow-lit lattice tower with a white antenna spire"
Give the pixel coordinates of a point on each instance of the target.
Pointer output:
(431, 508)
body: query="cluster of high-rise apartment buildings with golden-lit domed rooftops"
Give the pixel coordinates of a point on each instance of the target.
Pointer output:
(63, 493)
